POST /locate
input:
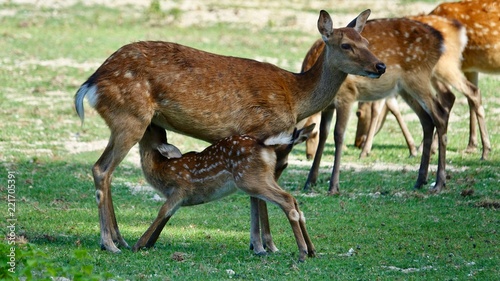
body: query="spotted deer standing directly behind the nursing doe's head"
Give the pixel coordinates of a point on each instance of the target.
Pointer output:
(411, 50)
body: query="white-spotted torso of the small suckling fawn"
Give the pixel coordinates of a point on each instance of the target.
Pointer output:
(211, 174)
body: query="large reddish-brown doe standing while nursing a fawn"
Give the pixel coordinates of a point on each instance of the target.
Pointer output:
(209, 97)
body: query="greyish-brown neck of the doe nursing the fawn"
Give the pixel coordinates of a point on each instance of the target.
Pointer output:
(318, 86)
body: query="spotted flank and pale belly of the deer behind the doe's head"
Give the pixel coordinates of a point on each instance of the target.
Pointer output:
(410, 50)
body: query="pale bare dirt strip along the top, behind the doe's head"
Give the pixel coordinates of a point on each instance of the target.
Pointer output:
(293, 14)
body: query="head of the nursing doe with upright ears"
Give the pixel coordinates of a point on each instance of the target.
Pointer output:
(348, 48)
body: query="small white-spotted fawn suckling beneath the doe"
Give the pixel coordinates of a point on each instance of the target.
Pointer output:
(236, 162)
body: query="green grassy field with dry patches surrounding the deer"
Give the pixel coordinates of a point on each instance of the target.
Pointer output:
(394, 233)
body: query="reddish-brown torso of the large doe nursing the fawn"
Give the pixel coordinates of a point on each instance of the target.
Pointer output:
(188, 86)
